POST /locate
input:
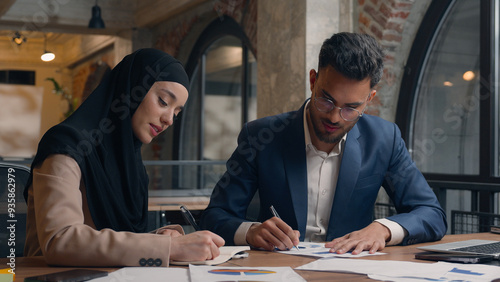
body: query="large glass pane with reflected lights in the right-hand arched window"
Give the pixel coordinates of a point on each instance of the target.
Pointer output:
(446, 129)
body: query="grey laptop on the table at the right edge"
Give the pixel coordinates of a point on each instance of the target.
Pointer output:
(467, 247)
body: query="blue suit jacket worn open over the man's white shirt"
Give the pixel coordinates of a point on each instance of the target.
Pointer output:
(270, 159)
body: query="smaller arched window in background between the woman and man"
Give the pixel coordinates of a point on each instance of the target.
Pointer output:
(223, 75)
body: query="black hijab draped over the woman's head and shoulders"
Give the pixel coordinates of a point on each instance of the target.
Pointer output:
(99, 136)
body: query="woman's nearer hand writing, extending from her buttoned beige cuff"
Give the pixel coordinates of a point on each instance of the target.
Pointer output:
(196, 246)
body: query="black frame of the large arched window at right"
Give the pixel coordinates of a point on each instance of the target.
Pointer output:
(485, 183)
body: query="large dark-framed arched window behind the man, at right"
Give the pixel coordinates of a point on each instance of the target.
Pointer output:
(448, 108)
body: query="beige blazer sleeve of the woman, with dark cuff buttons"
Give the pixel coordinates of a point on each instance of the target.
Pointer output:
(65, 239)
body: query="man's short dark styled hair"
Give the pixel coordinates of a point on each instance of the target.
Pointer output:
(356, 56)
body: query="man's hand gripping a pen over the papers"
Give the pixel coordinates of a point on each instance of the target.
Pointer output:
(273, 233)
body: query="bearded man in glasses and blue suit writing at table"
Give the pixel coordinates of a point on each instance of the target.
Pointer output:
(321, 167)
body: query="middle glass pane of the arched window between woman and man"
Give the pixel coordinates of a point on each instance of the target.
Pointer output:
(223, 98)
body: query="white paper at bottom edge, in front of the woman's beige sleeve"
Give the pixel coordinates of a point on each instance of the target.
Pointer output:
(150, 274)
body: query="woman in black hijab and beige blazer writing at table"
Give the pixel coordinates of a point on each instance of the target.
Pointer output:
(88, 190)
